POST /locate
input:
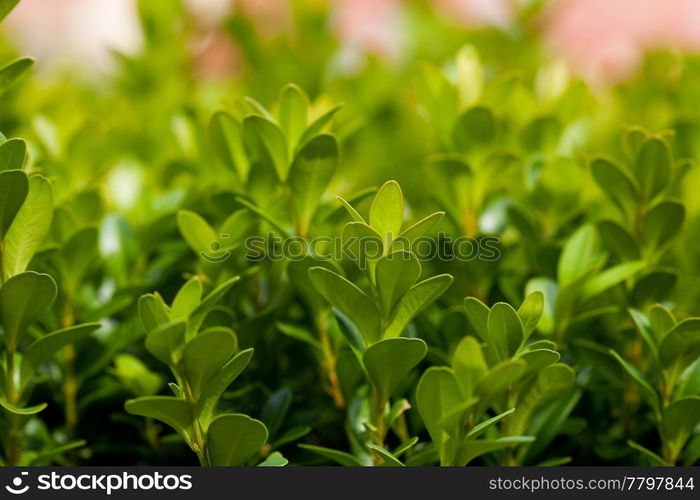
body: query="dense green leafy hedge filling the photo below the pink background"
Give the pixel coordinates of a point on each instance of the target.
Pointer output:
(146, 245)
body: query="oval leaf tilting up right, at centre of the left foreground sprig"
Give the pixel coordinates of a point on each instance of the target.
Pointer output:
(204, 356)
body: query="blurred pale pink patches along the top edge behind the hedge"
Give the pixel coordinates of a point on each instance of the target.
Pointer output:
(603, 41)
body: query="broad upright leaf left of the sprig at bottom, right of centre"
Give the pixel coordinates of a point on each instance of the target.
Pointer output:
(437, 393)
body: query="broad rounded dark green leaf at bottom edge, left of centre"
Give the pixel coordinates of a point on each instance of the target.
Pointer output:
(233, 439)
